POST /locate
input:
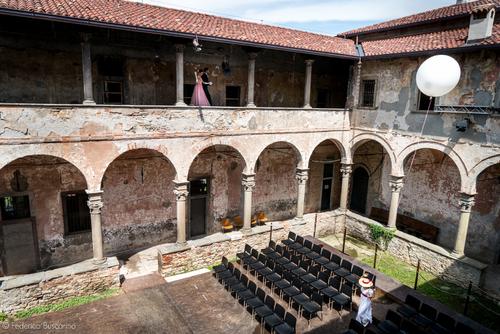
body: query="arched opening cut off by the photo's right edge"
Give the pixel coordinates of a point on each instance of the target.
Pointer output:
(483, 236)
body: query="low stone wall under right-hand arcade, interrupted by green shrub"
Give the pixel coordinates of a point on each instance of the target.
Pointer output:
(433, 259)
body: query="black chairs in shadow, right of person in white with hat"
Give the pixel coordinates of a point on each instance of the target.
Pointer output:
(428, 319)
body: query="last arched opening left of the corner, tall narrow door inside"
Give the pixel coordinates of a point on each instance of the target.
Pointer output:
(324, 183)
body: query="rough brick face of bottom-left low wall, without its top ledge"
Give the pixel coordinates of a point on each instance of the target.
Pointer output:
(58, 290)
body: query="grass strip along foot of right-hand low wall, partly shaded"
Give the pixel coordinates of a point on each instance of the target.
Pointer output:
(446, 293)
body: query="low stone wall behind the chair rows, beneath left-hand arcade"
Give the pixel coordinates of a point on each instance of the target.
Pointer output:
(198, 257)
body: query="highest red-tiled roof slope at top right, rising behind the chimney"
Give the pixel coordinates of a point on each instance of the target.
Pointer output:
(431, 15)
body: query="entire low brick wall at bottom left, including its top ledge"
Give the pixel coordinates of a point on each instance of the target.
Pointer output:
(57, 286)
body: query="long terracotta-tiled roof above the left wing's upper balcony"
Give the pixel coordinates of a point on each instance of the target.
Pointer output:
(135, 14)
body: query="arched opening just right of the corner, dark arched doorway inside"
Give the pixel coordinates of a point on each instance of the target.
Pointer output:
(371, 170)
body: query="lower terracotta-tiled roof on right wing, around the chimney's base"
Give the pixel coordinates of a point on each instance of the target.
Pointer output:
(447, 39)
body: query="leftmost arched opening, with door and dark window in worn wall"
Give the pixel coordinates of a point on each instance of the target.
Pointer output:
(44, 216)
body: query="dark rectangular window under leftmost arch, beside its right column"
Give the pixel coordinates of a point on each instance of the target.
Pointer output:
(76, 212)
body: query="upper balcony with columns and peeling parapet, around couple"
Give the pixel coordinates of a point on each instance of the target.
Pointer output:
(61, 80)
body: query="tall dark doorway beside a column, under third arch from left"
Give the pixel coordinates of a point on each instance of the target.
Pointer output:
(198, 190)
